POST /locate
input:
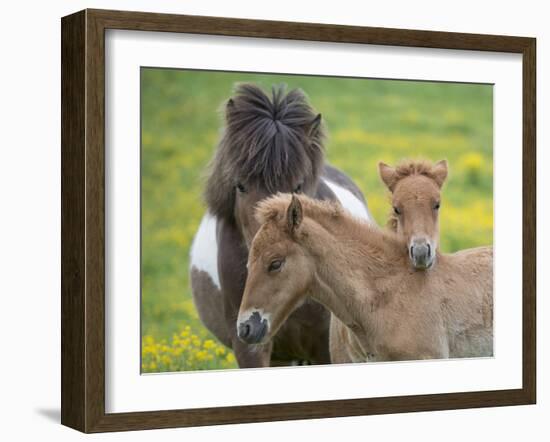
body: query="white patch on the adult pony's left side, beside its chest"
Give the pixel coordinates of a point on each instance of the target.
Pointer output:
(204, 250)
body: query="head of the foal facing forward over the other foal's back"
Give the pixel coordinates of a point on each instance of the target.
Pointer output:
(416, 198)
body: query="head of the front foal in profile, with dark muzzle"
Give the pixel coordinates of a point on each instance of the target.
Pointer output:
(279, 274)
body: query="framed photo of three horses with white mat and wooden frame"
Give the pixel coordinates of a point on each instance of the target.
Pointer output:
(269, 220)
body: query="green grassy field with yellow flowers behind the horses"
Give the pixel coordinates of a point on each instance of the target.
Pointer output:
(368, 121)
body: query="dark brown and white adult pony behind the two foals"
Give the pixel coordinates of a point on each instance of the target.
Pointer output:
(269, 145)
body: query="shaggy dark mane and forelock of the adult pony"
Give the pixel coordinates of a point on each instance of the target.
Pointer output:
(272, 142)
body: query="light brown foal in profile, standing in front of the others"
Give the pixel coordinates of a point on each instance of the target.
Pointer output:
(307, 248)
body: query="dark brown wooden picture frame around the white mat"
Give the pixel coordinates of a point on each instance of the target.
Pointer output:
(83, 217)
